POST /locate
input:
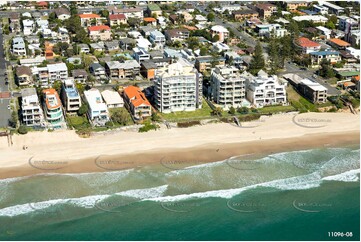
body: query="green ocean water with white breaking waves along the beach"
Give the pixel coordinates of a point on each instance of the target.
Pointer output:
(298, 195)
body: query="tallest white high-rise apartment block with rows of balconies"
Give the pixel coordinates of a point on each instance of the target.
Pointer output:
(178, 88)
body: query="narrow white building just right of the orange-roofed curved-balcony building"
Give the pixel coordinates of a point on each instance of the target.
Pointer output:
(70, 96)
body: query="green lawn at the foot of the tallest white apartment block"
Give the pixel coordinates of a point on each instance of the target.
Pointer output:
(204, 112)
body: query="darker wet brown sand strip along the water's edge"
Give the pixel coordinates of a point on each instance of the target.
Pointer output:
(175, 159)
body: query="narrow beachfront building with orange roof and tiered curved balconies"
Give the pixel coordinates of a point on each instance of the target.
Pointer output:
(53, 110)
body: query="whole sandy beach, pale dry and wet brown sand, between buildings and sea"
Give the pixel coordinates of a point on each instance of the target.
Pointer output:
(64, 151)
